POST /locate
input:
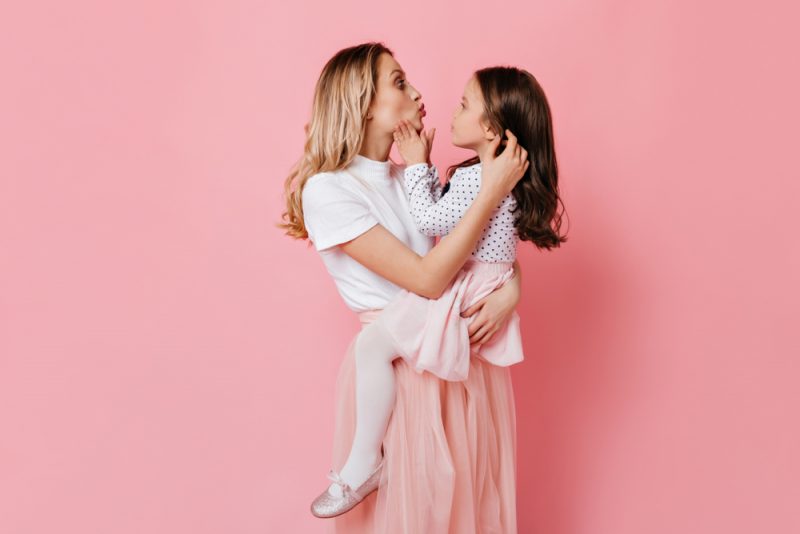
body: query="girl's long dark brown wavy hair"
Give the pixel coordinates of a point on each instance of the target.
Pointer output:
(514, 100)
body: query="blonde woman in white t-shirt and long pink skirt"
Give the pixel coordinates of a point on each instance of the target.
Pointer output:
(448, 459)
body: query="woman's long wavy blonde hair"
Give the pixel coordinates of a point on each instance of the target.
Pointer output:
(338, 124)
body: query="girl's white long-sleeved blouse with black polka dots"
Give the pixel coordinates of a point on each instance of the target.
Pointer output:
(437, 210)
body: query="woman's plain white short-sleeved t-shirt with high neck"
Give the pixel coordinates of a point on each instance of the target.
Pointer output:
(338, 208)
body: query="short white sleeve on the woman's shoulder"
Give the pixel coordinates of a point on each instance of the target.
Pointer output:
(332, 213)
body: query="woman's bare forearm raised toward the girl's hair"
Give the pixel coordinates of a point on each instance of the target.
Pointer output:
(444, 260)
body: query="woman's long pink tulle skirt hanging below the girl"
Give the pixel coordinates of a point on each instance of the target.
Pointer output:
(450, 453)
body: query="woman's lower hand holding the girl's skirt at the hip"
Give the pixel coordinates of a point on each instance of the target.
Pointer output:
(493, 310)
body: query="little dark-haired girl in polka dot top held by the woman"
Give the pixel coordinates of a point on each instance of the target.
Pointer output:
(430, 334)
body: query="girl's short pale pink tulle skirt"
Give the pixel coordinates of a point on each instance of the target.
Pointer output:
(432, 335)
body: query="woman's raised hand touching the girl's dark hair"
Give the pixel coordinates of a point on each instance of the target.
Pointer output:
(500, 174)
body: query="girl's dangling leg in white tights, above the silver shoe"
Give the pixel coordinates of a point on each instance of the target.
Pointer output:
(375, 396)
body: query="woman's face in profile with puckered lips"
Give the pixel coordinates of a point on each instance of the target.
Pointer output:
(395, 99)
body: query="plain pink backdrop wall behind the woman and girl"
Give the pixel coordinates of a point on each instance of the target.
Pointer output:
(167, 357)
